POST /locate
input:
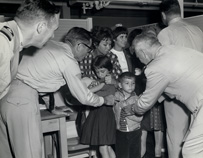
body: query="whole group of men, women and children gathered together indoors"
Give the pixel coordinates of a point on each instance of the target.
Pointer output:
(133, 83)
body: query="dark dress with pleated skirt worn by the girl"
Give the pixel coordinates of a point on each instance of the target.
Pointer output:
(100, 125)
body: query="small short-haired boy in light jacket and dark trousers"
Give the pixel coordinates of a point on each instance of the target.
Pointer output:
(128, 133)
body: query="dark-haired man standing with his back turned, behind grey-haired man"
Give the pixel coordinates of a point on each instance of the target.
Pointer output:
(184, 34)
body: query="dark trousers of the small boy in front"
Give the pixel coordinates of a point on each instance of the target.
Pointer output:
(128, 144)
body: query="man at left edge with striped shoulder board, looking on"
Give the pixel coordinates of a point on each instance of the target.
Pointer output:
(33, 25)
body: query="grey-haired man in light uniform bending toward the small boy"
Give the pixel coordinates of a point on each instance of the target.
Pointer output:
(178, 72)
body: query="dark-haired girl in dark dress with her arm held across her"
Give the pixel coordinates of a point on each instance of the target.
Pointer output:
(100, 127)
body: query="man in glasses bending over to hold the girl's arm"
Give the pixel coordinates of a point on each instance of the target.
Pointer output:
(49, 68)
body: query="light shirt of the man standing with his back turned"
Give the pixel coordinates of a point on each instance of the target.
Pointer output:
(182, 33)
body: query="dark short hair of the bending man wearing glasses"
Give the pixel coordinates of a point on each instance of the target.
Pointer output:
(77, 34)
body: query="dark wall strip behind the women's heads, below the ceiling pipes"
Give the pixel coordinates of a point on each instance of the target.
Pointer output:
(110, 17)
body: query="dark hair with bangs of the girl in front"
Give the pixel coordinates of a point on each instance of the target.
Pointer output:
(102, 61)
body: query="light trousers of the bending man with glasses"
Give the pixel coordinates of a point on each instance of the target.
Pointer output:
(20, 124)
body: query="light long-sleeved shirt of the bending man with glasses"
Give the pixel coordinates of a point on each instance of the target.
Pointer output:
(52, 67)
